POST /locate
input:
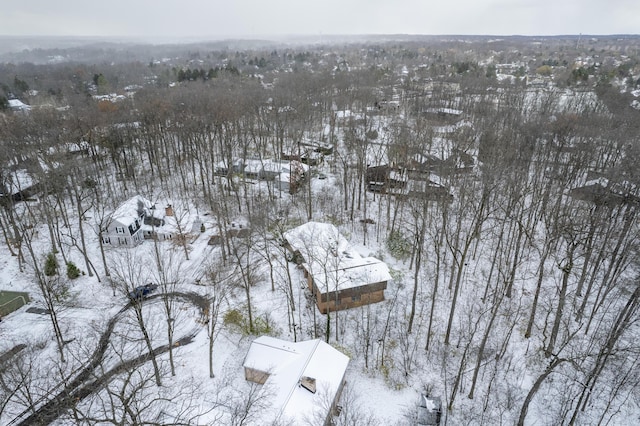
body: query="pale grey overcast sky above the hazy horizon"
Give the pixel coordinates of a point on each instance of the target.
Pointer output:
(259, 18)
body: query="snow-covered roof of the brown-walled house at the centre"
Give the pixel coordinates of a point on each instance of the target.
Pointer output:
(331, 260)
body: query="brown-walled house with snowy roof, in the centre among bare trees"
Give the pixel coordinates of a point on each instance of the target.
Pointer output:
(337, 276)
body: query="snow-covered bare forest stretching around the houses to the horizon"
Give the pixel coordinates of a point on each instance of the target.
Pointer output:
(497, 179)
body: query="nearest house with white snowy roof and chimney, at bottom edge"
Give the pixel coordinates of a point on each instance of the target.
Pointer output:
(303, 380)
